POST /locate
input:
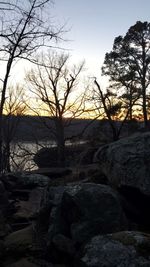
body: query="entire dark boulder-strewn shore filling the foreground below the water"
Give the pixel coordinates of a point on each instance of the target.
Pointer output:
(95, 216)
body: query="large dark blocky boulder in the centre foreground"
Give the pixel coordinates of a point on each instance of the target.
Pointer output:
(93, 209)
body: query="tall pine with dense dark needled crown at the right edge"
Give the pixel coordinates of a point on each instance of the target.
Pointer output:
(128, 65)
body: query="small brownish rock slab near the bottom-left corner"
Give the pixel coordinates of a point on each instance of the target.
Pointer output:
(20, 241)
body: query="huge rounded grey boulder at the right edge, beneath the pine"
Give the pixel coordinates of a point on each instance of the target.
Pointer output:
(127, 162)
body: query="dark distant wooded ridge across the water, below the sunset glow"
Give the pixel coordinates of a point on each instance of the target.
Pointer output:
(31, 128)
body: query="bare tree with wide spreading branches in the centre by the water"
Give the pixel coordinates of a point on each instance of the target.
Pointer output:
(54, 83)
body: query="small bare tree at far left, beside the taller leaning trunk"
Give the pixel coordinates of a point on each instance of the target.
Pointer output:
(14, 109)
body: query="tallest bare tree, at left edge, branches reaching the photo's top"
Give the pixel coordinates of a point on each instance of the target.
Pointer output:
(24, 29)
